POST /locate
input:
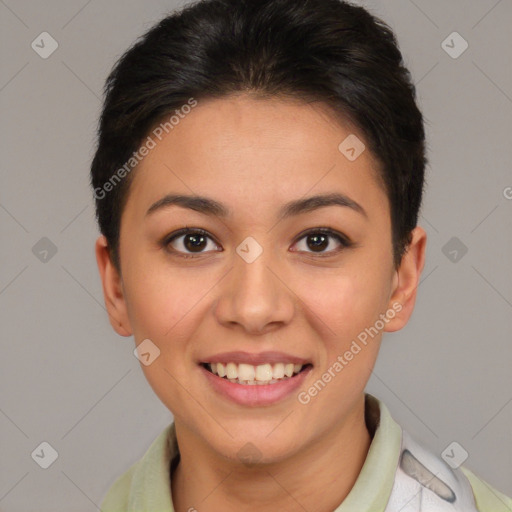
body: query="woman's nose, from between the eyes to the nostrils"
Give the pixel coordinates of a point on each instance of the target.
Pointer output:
(256, 297)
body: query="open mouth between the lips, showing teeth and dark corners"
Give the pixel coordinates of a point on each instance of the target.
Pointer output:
(250, 375)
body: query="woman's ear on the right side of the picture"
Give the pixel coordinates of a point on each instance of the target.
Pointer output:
(406, 280)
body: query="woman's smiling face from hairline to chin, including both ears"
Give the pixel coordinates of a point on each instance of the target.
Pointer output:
(263, 285)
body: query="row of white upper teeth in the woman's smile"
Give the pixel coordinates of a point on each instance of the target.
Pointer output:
(260, 373)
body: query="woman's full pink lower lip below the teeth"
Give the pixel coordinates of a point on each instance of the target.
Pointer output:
(257, 394)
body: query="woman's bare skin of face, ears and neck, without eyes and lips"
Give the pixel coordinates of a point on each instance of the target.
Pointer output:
(254, 155)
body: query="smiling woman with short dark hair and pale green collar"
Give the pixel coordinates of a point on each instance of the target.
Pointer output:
(258, 177)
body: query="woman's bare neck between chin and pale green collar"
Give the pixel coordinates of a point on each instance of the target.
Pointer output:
(318, 477)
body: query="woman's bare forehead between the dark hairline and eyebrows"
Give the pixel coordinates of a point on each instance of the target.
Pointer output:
(256, 154)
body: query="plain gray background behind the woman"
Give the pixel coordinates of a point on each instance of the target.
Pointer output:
(68, 379)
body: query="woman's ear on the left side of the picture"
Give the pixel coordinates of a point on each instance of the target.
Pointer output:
(112, 289)
